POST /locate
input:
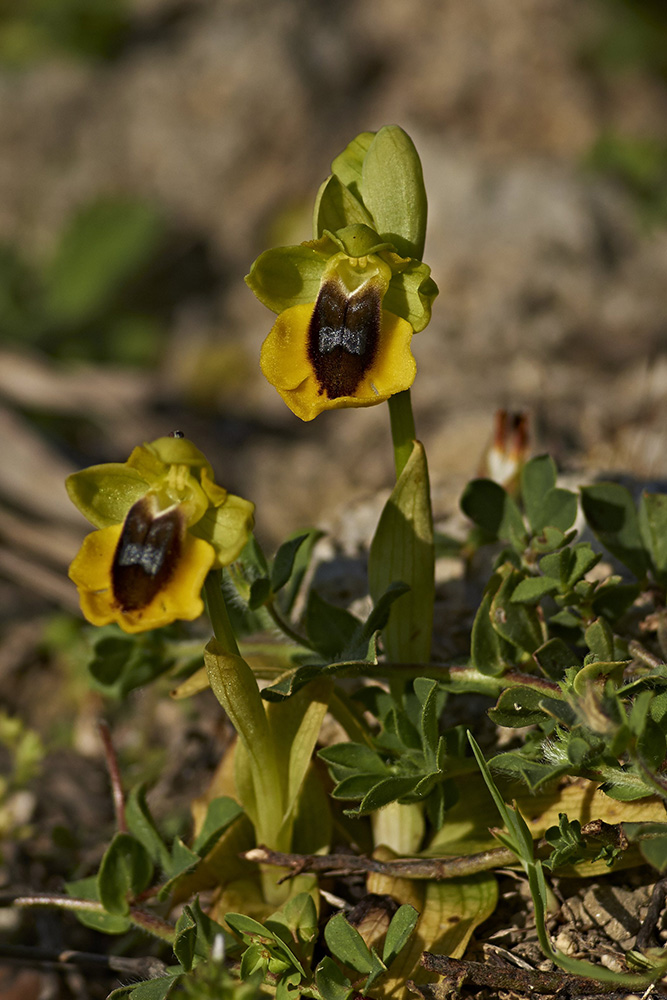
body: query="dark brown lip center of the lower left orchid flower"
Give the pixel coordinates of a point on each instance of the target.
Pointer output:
(147, 553)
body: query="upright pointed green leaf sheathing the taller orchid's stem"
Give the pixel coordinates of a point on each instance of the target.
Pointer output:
(402, 550)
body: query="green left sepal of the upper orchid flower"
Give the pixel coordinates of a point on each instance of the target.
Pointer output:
(288, 276)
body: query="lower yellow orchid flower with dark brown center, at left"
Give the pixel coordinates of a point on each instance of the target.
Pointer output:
(162, 523)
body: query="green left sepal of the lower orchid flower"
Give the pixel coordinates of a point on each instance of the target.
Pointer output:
(105, 493)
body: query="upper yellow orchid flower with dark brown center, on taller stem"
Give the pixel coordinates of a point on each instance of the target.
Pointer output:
(343, 338)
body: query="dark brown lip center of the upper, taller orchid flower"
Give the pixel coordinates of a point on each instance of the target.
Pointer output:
(343, 336)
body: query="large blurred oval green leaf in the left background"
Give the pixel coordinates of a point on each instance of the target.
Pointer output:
(104, 245)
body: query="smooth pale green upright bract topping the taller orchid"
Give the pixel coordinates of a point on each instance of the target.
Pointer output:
(392, 189)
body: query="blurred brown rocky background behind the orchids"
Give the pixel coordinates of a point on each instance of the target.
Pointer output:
(150, 149)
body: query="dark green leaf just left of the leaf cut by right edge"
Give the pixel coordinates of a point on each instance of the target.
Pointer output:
(611, 514)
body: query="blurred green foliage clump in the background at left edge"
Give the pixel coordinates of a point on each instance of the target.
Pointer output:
(96, 280)
